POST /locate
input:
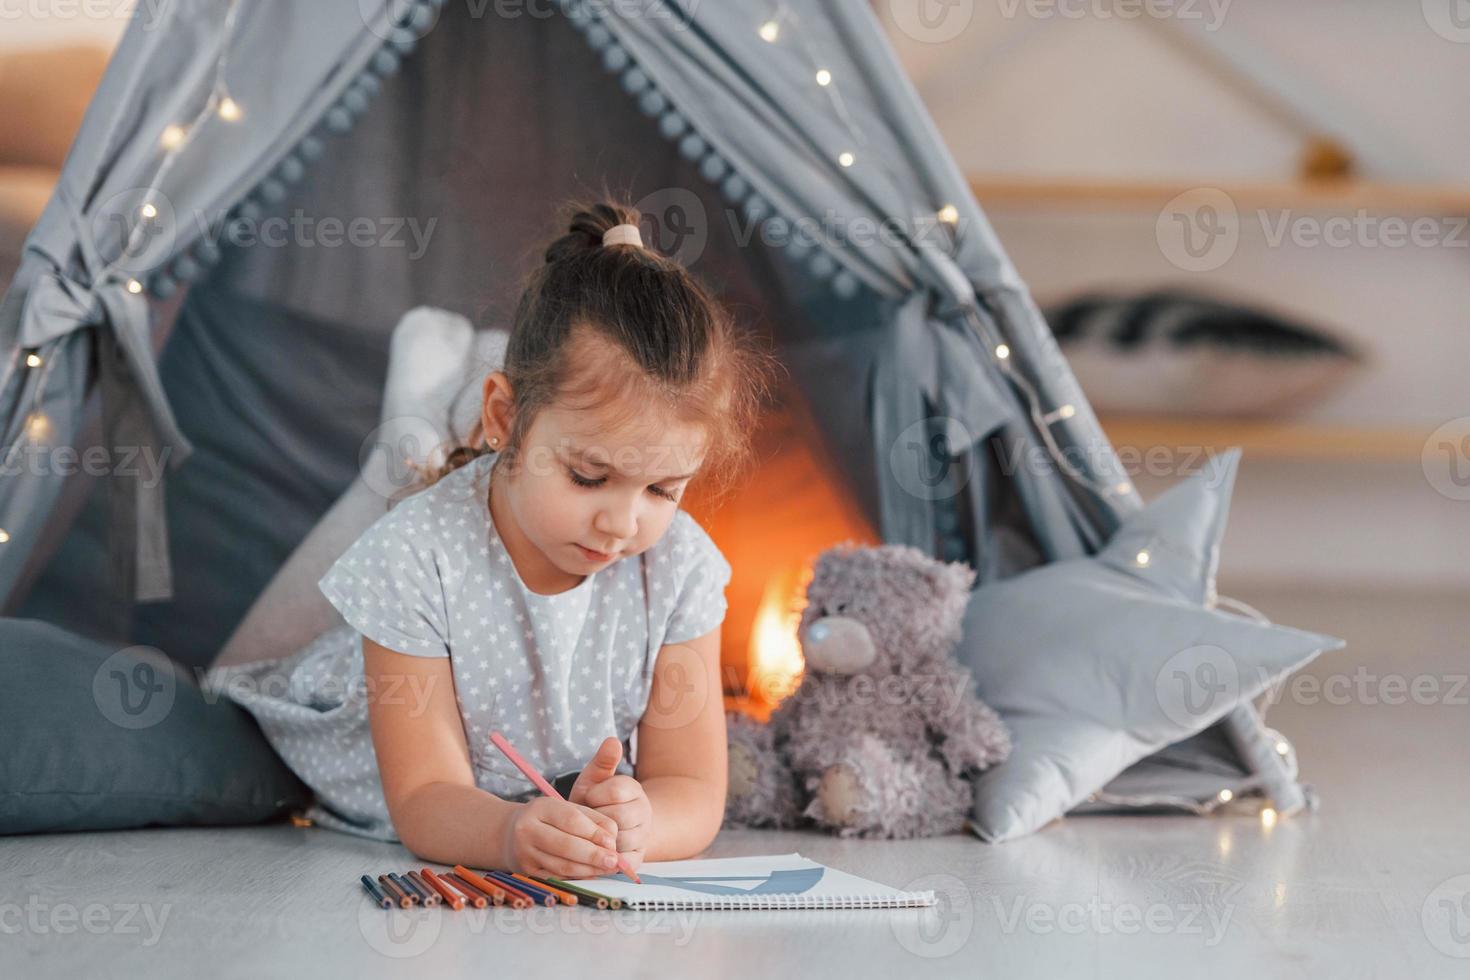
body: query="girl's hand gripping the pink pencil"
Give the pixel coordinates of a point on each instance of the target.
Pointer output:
(555, 838)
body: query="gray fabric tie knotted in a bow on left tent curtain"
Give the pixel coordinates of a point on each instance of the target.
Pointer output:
(137, 415)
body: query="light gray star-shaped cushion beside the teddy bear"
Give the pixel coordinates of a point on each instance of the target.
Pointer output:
(1097, 663)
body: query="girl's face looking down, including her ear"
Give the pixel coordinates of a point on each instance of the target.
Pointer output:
(583, 494)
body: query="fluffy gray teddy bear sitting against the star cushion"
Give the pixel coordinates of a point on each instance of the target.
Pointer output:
(884, 731)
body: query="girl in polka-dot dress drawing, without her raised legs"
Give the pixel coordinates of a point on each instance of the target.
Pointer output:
(548, 586)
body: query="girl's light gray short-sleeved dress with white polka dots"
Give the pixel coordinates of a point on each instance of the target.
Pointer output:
(555, 674)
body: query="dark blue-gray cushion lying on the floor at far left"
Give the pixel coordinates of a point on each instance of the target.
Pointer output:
(99, 738)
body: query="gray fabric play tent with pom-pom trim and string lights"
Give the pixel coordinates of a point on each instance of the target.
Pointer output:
(455, 120)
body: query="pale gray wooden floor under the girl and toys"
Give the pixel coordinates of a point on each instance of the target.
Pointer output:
(1374, 885)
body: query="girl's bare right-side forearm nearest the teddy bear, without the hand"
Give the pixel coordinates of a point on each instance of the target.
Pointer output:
(683, 754)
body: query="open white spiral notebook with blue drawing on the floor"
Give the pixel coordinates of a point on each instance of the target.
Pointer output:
(774, 881)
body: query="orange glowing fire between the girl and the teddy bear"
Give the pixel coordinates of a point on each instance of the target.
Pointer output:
(789, 509)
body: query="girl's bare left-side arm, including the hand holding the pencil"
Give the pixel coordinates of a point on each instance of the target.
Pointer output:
(430, 785)
